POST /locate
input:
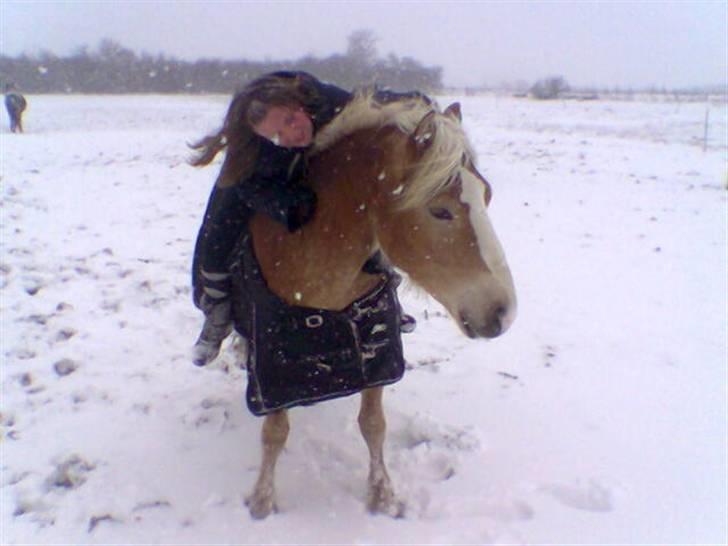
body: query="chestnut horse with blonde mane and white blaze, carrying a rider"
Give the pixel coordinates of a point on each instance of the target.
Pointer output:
(398, 178)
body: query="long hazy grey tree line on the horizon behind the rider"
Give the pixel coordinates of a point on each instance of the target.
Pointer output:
(113, 68)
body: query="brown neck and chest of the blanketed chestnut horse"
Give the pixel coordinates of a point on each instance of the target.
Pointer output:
(320, 264)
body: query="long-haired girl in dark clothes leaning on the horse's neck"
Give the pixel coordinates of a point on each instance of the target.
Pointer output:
(268, 126)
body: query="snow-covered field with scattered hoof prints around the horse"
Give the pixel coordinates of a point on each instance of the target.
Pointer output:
(599, 418)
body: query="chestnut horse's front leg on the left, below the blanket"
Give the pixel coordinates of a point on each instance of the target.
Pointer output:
(275, 432)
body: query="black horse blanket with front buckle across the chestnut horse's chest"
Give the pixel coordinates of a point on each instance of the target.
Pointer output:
(302, 355)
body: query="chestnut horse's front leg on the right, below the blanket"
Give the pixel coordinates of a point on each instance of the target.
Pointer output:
(380, 495)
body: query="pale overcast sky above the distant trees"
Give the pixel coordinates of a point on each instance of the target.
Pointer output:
(630, 44)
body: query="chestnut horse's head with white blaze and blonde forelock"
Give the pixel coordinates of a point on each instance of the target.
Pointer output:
(432, 222)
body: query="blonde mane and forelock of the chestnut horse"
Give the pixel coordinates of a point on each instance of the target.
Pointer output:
(435, 171)
